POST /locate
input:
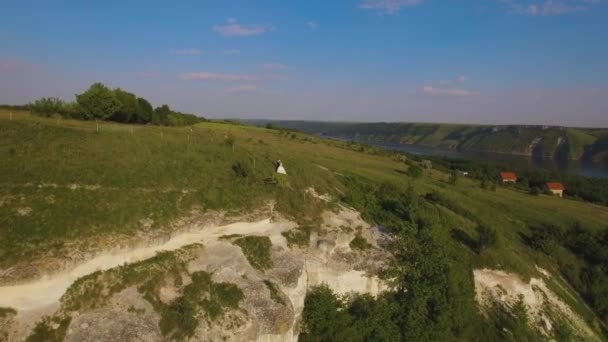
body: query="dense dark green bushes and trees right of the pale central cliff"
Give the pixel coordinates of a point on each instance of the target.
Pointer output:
(432, 290)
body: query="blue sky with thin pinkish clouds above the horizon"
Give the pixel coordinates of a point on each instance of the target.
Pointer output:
(461, 61)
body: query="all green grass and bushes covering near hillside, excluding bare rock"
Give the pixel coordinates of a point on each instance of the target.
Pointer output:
(71, 187)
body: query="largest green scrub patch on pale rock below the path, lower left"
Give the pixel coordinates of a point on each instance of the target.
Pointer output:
(200, 298)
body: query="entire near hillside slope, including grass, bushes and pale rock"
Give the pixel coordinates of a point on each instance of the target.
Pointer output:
(244, 252)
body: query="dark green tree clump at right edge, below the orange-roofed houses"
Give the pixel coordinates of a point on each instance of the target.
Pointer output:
(582, 255)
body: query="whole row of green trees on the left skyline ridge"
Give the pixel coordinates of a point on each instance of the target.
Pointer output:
(102, 103)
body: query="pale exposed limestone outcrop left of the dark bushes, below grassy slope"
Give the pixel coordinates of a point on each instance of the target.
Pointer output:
(272, 301)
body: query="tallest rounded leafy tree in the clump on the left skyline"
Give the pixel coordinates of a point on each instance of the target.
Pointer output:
(98, 102)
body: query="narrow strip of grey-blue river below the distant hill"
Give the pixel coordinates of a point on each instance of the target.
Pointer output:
(577, 167)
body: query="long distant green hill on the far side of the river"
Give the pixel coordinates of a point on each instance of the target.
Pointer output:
(546, 141)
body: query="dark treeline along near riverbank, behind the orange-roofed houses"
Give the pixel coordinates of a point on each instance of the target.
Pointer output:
(533, 180)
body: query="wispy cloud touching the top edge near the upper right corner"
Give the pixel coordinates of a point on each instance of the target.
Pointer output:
(548, 7)
